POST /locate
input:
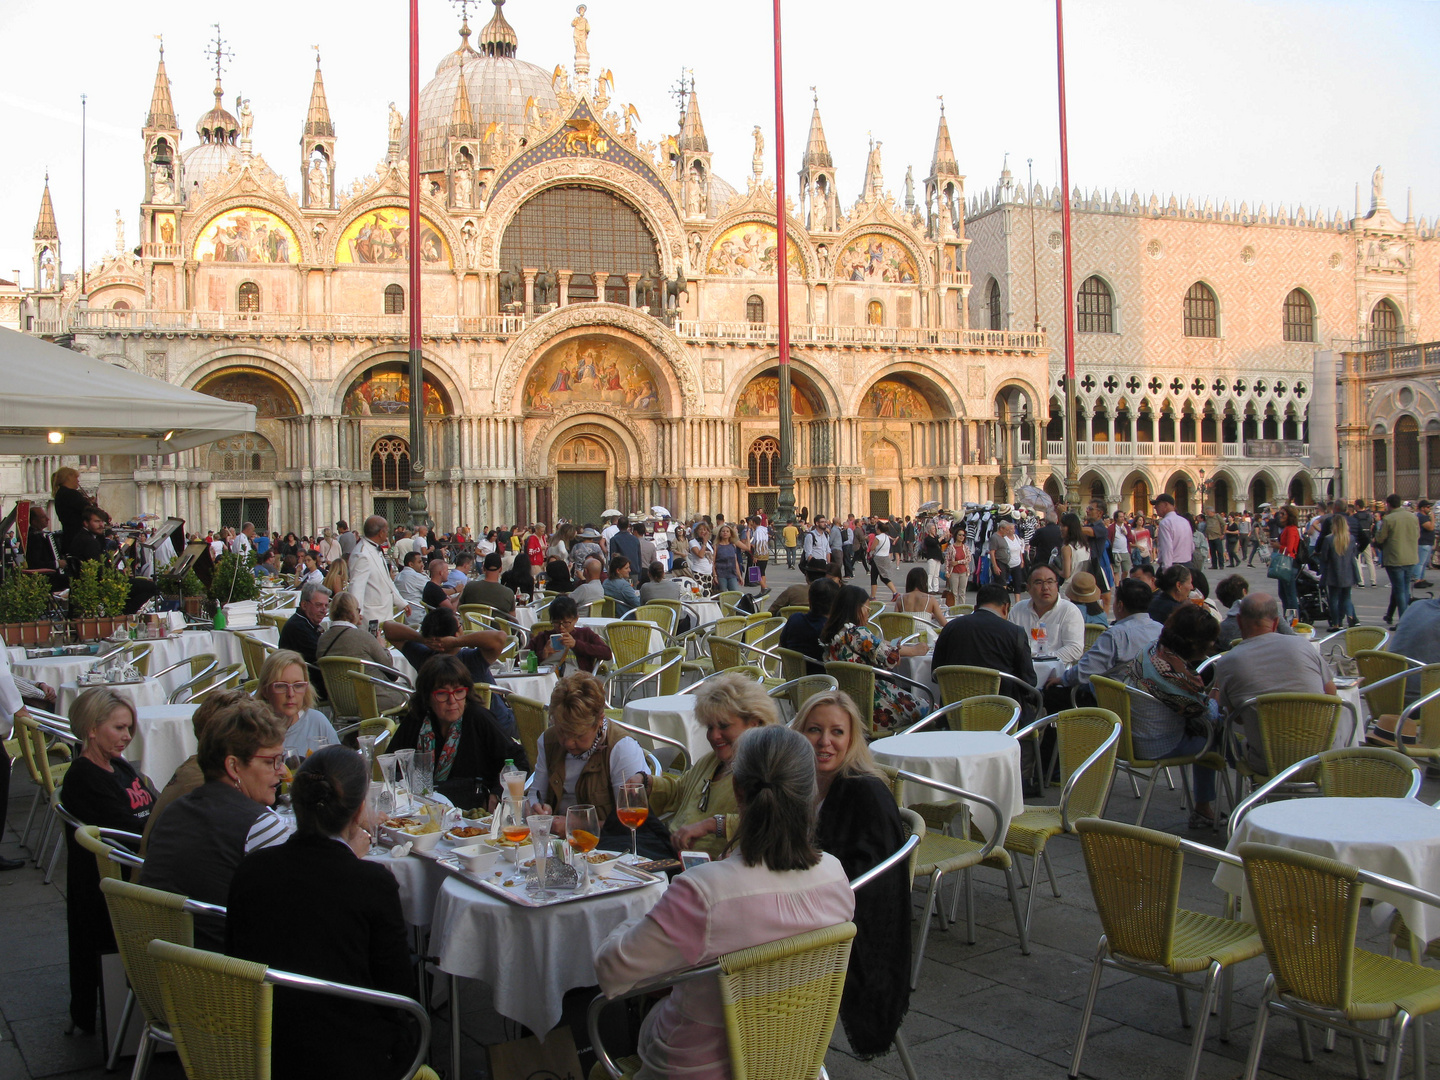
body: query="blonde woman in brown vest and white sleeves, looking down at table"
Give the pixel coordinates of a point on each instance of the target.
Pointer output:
(582, 760)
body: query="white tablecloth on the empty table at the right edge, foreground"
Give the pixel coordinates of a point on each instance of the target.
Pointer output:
(1395, 837)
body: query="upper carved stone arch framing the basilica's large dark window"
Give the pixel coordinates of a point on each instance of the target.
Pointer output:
(654, 210)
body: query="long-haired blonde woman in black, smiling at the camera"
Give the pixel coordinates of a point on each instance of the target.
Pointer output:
(860, 824)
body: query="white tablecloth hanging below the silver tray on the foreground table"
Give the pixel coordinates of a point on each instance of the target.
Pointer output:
(529, 957)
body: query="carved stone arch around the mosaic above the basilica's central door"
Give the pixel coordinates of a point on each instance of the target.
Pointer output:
(679, 371)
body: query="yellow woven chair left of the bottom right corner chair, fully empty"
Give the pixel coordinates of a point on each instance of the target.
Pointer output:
(1135, 882)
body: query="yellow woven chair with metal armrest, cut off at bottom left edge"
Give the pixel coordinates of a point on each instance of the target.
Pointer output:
(220, 1010)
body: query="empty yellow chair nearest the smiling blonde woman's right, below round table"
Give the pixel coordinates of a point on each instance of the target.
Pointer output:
(941, 855)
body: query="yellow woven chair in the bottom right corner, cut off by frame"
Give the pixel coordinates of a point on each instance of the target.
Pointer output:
(1307, 909)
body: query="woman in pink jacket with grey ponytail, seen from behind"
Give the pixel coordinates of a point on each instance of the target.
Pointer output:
(775, 885)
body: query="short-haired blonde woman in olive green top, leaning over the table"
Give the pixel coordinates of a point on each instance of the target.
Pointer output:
(703, 814)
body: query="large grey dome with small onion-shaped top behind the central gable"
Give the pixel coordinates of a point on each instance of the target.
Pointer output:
(498, 83)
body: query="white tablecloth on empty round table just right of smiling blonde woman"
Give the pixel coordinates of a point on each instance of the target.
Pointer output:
(981, 762)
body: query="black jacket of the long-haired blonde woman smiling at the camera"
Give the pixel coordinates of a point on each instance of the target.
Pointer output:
(860, 826)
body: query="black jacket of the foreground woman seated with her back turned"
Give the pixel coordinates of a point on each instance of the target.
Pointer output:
(312, 908)
